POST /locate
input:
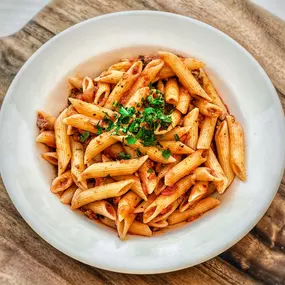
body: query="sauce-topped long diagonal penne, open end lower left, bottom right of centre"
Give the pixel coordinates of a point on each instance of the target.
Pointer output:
(163, 201)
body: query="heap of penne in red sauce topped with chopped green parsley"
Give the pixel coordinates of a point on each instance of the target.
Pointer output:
(146, 146)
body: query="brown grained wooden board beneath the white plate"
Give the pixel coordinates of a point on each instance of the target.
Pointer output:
(259, 257)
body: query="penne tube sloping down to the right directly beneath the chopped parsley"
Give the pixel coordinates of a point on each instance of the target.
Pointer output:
(154, 153)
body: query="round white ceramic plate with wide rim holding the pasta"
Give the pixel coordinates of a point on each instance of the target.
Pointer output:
(240, 80)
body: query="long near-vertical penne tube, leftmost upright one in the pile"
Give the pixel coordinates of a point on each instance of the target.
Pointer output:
(62, 142)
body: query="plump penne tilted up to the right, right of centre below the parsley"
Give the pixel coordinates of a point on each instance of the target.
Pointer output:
(185, 167)
